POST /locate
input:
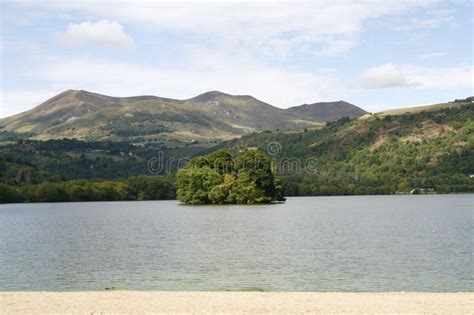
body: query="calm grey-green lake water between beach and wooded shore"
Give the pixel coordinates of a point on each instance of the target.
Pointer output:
(371, 243)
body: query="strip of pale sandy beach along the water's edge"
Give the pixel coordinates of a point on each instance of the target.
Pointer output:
(233, 302)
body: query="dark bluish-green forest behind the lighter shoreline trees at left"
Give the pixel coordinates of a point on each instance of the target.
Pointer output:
(32, 161)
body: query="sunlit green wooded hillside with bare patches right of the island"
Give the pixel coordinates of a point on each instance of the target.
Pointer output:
(426, 151)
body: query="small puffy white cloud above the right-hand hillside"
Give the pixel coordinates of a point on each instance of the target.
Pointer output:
(384, 76)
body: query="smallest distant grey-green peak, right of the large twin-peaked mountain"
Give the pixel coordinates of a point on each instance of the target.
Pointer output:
(328, 111)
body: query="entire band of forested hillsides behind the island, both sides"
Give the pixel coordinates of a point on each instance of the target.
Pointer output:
(425, 151)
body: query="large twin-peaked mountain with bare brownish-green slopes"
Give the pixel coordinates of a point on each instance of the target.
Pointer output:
(91, 116)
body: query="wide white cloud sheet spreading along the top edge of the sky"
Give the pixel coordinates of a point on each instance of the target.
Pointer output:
(274, 27)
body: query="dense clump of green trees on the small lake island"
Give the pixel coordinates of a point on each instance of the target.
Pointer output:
(217, 178)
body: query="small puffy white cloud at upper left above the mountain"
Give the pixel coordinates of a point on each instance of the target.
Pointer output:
(100, 33)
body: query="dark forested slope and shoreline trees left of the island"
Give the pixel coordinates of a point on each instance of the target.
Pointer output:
(73, 170)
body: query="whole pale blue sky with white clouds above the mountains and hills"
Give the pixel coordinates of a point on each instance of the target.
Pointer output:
(377, 54)
